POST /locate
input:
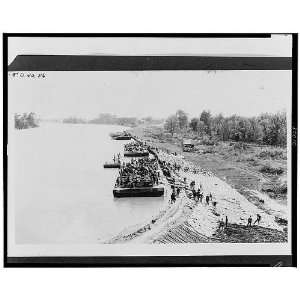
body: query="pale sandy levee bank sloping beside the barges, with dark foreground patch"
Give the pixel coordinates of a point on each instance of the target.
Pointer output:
(191, 221)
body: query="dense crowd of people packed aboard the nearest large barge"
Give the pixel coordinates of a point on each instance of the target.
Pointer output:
(138, 173)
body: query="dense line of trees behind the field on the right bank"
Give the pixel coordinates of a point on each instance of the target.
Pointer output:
(269, 129)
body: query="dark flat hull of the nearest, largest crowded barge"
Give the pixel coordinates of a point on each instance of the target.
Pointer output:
(154, 191)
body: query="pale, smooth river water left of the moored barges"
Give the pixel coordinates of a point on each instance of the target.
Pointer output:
(62, 193)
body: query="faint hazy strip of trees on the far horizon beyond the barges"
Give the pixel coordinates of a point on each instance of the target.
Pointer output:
(114, 120)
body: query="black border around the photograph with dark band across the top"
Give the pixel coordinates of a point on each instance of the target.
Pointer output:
(155, 63)
